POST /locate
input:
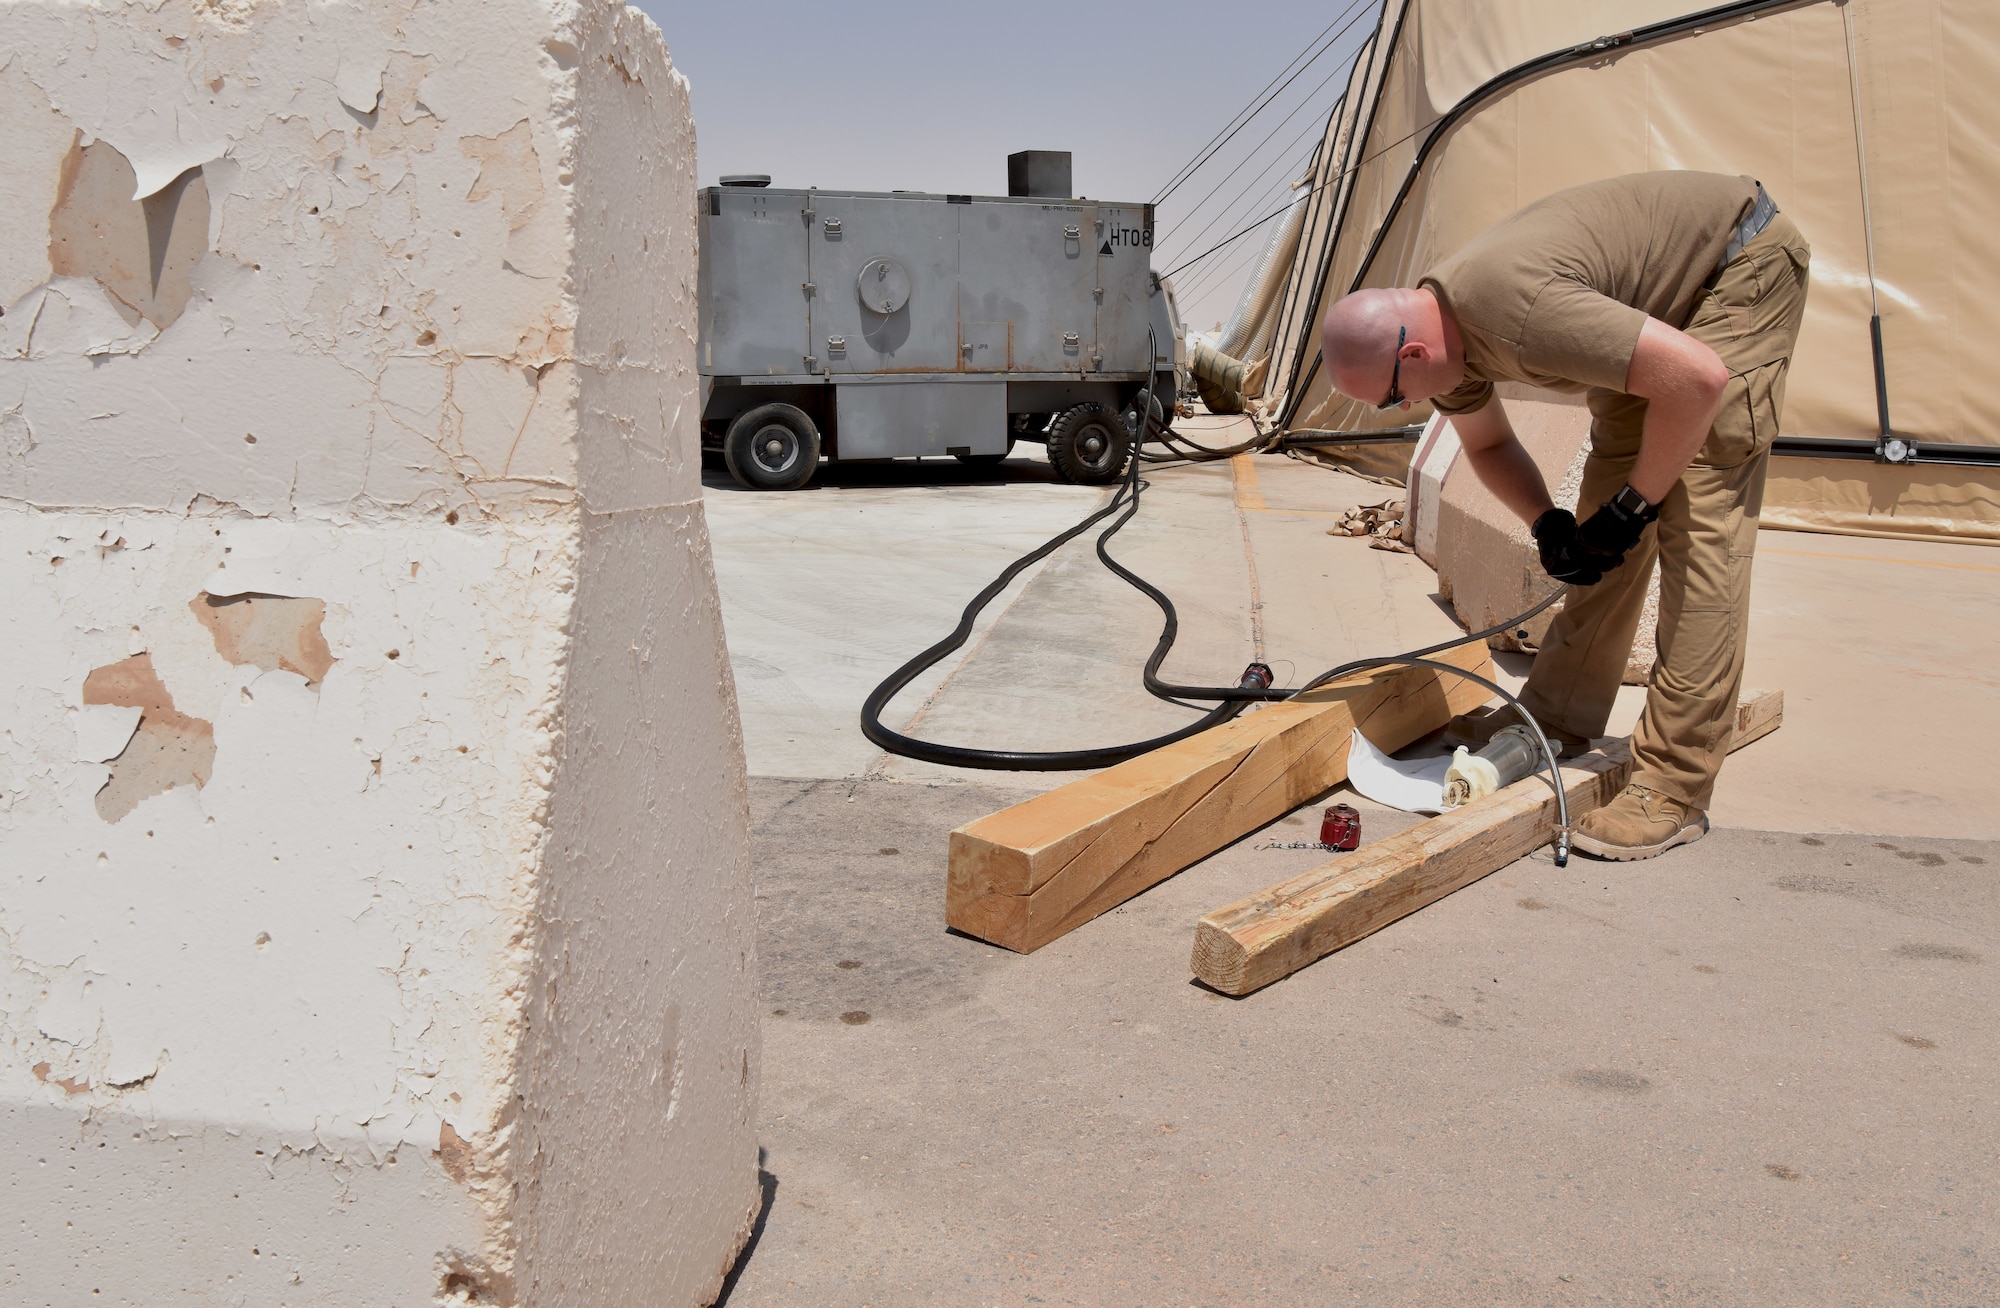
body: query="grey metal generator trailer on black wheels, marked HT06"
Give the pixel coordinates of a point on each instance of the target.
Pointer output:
(863, 325)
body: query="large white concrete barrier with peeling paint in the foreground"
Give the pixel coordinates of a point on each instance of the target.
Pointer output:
(375, 893)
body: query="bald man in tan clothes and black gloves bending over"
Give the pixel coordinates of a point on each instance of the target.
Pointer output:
(1675, 301)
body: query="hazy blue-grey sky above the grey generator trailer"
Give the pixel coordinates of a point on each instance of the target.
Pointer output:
(891, 95)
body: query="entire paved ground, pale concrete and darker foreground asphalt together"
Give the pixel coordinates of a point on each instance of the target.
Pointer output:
(1755, 1071)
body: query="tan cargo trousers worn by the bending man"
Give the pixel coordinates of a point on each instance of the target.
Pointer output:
(1703, 541)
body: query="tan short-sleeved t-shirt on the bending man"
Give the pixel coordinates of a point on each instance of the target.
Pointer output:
(1557, 295)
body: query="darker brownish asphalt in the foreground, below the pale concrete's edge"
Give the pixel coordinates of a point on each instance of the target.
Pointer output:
(1755, 1073)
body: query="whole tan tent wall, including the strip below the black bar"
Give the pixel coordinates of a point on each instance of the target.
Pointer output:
(1769, 99)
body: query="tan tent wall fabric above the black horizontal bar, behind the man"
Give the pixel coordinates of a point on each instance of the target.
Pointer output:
(1769, 99)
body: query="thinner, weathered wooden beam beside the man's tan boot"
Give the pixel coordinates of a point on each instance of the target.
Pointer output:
(1279, 931)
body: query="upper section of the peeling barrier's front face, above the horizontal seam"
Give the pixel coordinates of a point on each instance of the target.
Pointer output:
(361, 235)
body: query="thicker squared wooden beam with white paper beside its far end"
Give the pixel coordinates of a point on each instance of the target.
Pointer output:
(1027, 875)
